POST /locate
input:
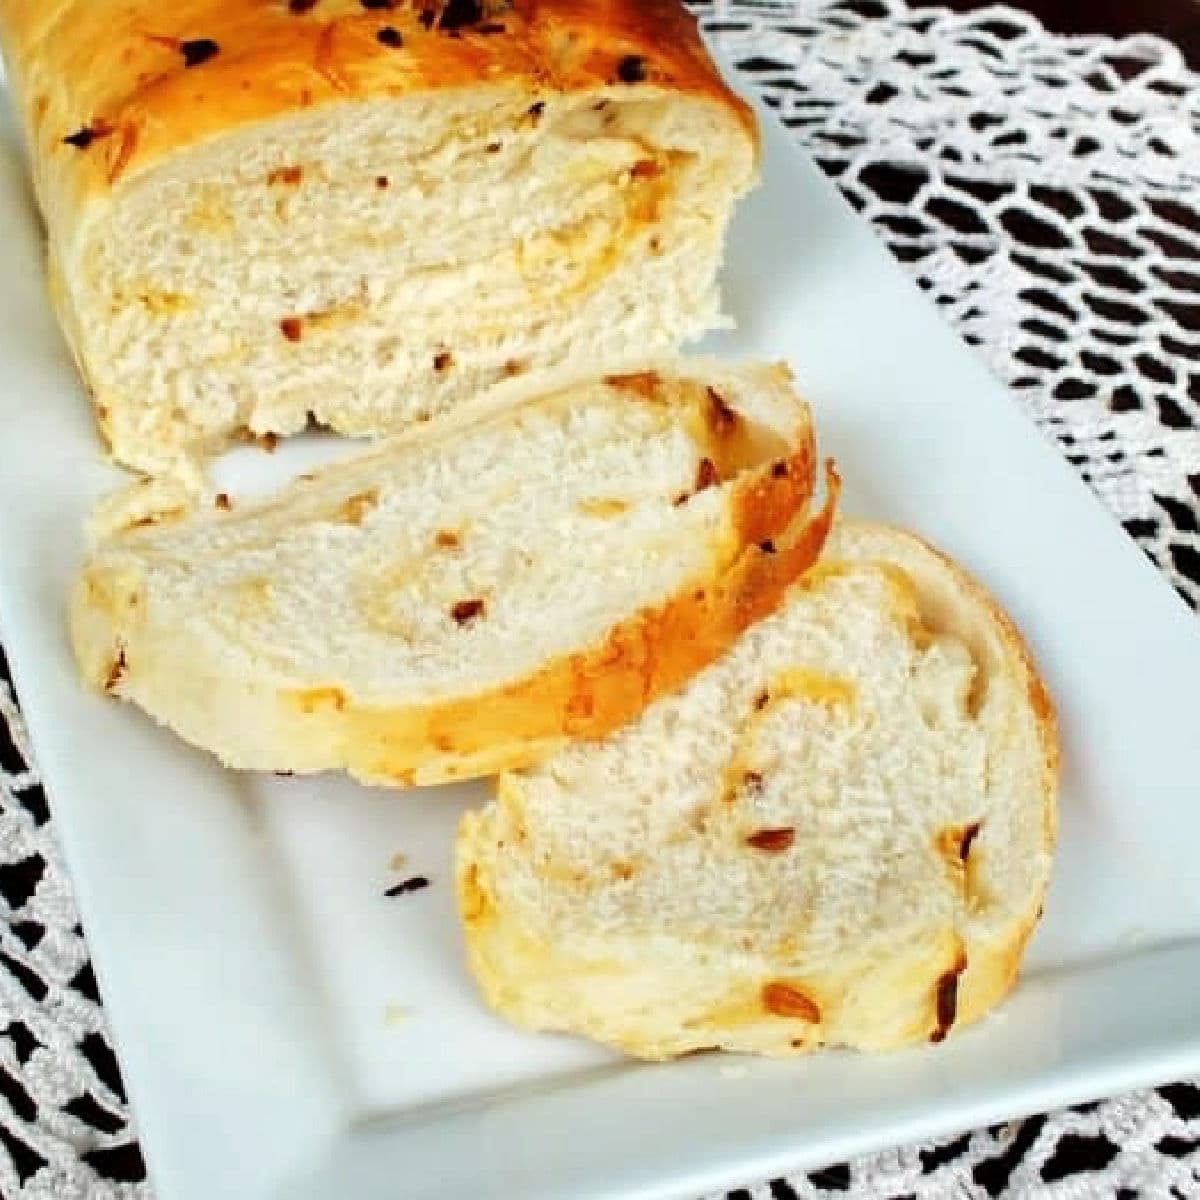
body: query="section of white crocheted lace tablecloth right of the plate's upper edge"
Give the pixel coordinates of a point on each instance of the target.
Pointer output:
(1042, 190)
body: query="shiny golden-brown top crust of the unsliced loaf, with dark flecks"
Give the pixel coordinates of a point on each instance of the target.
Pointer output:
(115, 86)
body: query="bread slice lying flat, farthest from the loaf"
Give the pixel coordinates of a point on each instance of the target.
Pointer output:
(839, 835)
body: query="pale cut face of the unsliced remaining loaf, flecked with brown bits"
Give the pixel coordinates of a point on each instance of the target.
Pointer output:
(373, 263)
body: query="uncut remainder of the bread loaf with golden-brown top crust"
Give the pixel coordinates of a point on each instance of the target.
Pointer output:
(362, 212)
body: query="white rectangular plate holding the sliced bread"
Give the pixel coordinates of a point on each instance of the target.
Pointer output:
(285, 1030)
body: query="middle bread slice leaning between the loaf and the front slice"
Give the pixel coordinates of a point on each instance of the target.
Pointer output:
(473, 595)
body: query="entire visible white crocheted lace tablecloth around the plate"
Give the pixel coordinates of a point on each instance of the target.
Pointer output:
(1045, 193)
